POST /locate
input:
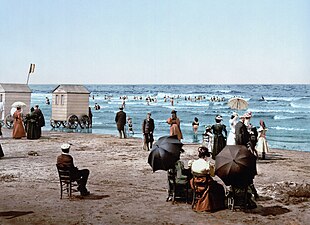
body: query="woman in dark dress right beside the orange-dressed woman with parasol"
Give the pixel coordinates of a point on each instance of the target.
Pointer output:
(32, 125)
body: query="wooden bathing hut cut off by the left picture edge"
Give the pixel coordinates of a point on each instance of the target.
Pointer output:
(10, 93)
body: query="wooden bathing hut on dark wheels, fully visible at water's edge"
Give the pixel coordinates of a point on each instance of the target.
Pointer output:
(70, 106)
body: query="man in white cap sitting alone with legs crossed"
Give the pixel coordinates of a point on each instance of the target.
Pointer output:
(66, 161)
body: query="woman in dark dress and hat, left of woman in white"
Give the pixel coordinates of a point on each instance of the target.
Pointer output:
(219, 139)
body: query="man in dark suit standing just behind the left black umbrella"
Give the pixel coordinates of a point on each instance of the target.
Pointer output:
(148, 127)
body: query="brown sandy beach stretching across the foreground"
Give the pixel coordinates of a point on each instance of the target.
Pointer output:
(124, 190)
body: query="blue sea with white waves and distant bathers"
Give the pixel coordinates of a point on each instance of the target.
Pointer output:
(285, 109)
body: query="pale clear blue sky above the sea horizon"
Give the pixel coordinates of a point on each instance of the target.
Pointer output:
(155, 42)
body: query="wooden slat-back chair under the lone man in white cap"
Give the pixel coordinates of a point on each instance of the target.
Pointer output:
(66, 181)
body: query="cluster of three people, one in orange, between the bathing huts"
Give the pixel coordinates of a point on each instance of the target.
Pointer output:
(28, 126)
